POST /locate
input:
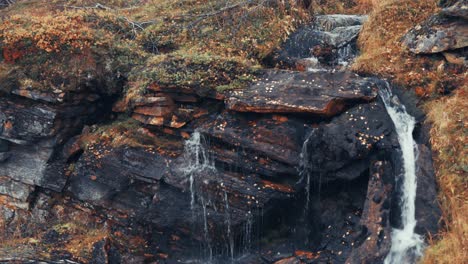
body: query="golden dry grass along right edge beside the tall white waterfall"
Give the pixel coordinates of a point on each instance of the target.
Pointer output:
(448, 138)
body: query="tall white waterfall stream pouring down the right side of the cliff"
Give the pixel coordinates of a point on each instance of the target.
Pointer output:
(406, 246)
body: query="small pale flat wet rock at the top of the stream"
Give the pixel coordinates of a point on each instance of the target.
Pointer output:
(330, 22)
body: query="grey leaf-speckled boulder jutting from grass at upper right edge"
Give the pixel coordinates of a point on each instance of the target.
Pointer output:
(437, 34)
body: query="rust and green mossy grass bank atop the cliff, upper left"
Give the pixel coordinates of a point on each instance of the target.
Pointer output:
(188, 43)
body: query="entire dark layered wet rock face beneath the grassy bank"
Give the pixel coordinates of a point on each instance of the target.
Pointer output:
(299, 167)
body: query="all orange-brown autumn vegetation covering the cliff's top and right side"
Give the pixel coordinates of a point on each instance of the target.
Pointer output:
(130, 45)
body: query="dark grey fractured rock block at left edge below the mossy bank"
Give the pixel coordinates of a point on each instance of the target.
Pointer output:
(35, 133)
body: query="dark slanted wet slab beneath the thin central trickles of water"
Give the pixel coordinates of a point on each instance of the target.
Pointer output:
(134, 184)
